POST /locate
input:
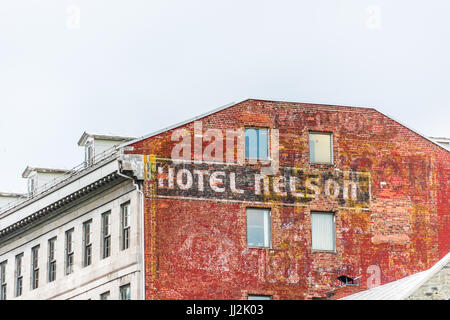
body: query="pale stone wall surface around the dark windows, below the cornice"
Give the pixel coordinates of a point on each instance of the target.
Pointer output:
(102, 275)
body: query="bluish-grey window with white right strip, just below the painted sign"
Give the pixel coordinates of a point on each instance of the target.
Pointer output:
(258, 228)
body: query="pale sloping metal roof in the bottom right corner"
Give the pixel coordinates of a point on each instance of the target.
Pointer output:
(402, 288)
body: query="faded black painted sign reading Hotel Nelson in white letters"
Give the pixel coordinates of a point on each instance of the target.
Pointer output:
(246, 183)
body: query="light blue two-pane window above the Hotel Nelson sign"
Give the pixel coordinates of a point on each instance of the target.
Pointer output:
(257, 143)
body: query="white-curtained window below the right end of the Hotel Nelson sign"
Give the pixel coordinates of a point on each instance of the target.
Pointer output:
(323, 231)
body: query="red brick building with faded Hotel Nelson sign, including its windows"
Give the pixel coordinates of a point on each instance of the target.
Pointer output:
(383, 194)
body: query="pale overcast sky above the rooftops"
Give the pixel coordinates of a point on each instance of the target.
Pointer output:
(131, 67)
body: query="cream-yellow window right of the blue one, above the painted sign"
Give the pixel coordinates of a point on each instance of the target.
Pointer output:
(320, 147)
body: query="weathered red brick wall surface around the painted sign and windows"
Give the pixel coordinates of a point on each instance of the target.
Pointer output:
(197, 248)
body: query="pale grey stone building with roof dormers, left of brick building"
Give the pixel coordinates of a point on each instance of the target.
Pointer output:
(77, 234)
